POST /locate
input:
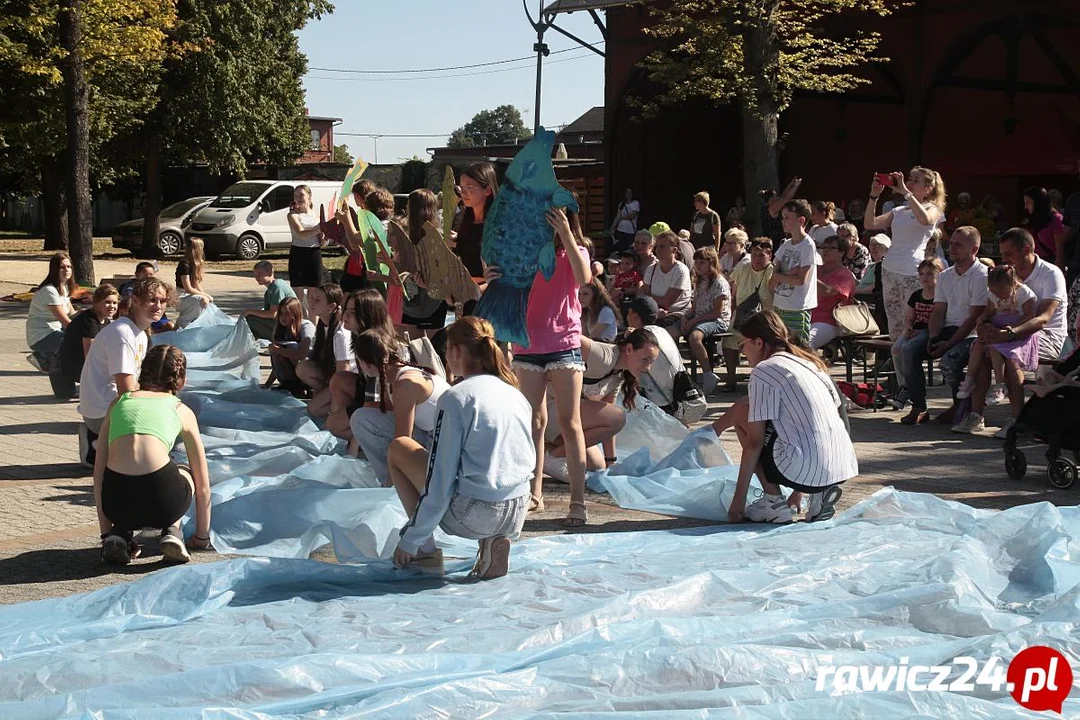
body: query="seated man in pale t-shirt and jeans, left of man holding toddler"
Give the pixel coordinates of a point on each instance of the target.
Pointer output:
(961, 298)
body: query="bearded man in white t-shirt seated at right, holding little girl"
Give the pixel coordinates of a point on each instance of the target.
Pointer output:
(1048, 283)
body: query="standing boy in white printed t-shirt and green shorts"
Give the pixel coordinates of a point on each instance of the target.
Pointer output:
(794, 282)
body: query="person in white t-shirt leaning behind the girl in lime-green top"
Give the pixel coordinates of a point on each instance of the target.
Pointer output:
(114, 361)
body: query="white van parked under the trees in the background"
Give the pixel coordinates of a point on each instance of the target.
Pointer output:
(251, 216)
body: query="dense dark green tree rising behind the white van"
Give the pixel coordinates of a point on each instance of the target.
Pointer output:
(233, 92)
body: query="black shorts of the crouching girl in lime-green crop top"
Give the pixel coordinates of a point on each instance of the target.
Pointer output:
(155, 500)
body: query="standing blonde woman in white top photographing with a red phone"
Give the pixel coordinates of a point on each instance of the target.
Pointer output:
(913, 225)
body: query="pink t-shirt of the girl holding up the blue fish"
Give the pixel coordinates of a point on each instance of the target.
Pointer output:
(555, 315)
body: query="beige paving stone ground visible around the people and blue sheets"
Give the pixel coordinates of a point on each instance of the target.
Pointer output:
(49, 537)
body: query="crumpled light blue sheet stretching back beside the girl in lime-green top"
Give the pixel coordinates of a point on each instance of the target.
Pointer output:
(280, 486)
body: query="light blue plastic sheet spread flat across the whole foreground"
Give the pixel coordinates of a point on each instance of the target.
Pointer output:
(704, 623)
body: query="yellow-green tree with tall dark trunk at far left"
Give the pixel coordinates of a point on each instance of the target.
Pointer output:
(84, 72)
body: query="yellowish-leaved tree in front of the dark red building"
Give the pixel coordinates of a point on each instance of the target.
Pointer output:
(757, 55)
